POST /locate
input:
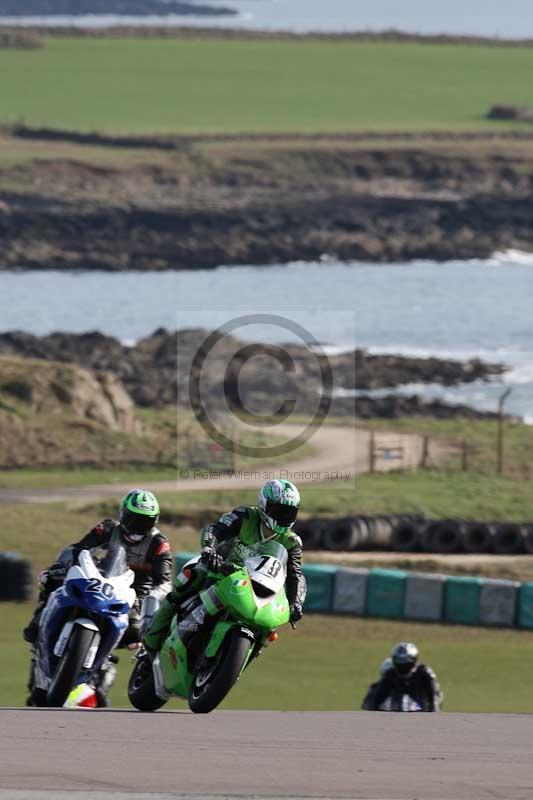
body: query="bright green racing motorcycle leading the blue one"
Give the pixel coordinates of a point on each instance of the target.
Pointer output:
(245, 605)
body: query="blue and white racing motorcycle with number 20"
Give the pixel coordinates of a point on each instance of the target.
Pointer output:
(82, 622)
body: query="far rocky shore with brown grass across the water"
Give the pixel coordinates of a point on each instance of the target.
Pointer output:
(194, 203)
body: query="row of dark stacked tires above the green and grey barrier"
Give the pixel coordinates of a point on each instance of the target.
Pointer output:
(413, 533)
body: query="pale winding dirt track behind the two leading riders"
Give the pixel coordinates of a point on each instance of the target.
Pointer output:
(341, 453)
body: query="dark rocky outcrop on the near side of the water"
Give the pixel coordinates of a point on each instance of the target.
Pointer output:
(157, 370)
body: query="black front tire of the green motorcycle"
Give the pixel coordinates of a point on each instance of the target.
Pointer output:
(225, 673)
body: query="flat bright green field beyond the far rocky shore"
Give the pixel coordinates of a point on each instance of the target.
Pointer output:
(157, 85)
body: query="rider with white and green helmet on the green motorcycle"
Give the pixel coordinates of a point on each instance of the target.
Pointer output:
(273, 518)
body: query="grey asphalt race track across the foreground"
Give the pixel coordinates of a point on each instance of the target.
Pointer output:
(92, 755)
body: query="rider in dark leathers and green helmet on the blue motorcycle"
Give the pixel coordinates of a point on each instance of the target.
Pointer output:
(149, 556)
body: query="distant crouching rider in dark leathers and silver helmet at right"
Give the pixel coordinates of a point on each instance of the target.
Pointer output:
(405, 675)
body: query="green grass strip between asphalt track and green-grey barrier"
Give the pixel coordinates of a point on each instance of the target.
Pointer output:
(327, 663)
